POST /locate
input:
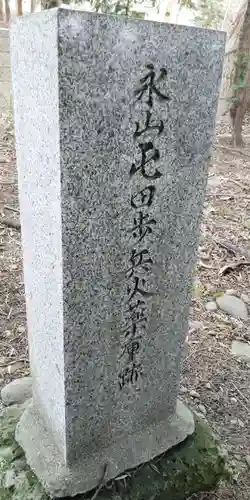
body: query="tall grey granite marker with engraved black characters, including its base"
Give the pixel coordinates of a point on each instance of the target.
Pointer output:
(114, 124)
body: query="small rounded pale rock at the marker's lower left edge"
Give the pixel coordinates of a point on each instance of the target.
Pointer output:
(17, 391)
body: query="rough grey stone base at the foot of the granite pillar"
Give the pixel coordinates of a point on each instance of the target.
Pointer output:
(60, 481)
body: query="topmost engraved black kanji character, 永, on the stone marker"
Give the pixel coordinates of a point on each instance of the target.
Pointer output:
(148, 85)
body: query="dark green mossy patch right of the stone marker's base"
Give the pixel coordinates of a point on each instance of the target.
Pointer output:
(193, 466)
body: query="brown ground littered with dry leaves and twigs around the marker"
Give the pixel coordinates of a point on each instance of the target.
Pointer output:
(221, 382)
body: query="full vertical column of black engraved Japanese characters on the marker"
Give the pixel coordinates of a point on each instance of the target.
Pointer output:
(142, 224)
